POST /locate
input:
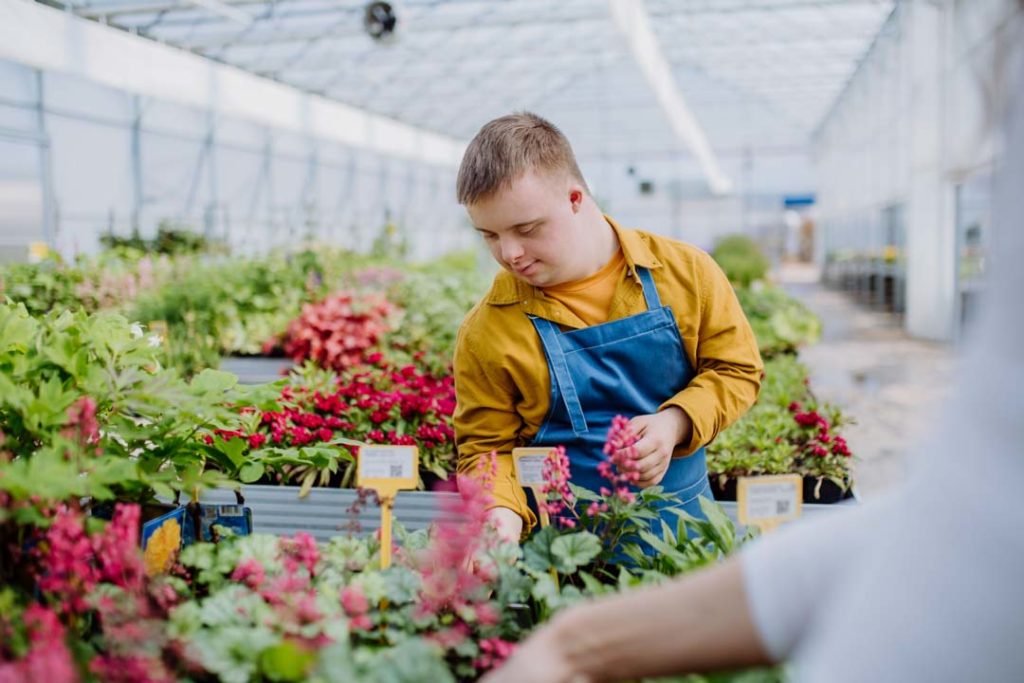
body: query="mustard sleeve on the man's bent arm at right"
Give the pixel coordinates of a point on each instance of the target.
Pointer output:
(729, 363)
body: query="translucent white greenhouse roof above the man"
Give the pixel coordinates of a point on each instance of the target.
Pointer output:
(747, 73)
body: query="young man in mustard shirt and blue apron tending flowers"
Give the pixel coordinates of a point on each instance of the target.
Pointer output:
(588, 321)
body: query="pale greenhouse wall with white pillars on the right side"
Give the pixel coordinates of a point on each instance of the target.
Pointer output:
(907, 155)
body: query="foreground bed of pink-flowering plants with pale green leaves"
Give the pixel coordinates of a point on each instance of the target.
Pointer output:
(86, 604)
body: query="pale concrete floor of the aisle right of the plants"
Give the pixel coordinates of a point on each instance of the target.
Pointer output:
(888, 382)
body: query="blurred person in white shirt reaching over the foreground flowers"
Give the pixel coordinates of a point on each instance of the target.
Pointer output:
(924, 586)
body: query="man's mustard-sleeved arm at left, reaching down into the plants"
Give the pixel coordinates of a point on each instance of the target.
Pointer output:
(486, 421)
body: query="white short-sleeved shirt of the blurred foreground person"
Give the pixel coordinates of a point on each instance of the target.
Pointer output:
(928, 585)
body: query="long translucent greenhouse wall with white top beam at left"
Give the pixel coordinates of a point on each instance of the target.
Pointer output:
(80, 158)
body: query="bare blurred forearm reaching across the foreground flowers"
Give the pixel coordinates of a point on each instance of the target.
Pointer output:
(700, 624)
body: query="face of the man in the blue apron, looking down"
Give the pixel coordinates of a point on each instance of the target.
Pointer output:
(534, 229)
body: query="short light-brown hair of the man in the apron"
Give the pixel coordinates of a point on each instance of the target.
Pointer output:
(509, 147)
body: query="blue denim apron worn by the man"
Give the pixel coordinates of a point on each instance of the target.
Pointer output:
(627, 367)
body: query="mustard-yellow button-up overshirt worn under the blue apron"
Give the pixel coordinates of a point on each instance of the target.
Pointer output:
(501, 375)
